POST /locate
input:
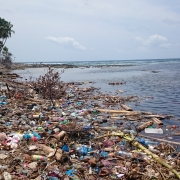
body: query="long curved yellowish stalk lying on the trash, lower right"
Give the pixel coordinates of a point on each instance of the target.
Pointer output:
(138, 145)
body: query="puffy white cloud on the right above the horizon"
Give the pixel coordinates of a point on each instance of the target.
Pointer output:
(154, 40)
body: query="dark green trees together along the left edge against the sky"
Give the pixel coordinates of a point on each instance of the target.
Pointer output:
(5, 33)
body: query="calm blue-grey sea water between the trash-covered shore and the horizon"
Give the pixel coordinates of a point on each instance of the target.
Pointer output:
(156, 82)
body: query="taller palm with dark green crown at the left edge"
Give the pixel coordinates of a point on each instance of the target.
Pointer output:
(5, 32)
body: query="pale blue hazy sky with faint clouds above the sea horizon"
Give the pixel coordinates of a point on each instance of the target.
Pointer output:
(90, 30)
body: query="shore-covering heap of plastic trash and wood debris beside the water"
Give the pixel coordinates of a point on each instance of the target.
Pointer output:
(84, 135)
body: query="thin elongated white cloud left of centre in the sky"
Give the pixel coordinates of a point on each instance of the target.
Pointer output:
(66, 42)
